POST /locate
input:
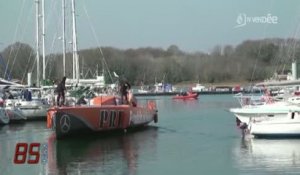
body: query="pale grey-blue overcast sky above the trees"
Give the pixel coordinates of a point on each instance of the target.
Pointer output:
(192, 25)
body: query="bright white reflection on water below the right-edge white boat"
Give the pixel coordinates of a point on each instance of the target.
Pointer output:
(268, 156)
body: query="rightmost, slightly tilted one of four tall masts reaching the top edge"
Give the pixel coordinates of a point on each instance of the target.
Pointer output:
(75, 54)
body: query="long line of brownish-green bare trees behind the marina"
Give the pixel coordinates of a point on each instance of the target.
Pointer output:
(251, 60)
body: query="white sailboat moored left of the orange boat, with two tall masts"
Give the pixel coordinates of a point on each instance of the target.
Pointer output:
(30, 105)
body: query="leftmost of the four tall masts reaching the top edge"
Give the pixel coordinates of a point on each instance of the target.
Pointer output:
(37, 44)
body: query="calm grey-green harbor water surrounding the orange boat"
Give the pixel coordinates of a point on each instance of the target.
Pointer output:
(191, 137)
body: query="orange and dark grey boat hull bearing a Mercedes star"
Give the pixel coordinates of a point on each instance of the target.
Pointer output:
(79, 119)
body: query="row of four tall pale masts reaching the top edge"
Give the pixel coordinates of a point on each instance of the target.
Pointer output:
(74, 42)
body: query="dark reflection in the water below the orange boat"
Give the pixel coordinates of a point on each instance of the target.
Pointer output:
(118, 154)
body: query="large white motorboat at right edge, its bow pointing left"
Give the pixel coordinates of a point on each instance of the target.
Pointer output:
(269, 119)
